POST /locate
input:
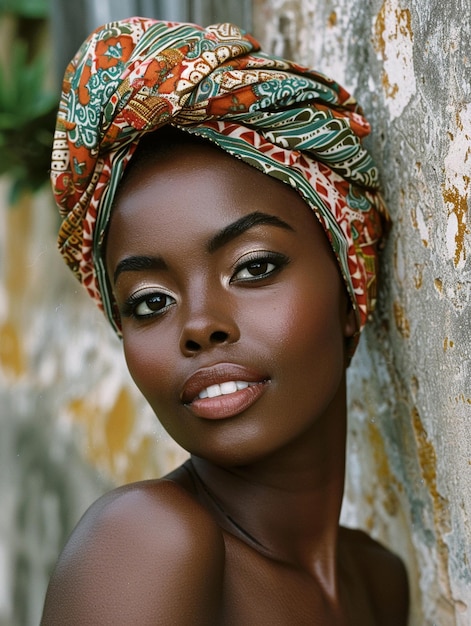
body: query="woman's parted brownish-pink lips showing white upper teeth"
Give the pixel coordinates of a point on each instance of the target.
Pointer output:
(223, 390)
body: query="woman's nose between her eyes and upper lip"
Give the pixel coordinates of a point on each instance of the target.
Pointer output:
(208, 326)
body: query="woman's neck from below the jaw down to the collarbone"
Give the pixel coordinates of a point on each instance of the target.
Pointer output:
(286, 506)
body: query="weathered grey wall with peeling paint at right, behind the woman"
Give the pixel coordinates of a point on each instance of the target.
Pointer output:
(409, 470)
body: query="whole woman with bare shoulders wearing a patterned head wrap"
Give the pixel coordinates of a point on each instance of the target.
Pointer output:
(238, 317)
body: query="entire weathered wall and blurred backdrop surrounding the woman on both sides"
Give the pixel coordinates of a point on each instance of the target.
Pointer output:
(72, 424)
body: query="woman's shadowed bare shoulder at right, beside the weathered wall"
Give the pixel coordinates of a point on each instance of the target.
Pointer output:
(384, 574)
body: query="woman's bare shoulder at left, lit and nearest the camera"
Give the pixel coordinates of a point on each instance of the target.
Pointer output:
(145, 553)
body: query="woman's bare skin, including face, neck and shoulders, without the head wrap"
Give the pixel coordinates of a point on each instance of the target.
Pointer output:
(247, 531)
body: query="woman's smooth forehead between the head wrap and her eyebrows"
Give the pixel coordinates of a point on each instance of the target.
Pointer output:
(171, 195)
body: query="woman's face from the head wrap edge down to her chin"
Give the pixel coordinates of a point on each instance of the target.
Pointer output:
(234, 315)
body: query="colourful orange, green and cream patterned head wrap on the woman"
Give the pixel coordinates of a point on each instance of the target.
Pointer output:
(134, 76)
